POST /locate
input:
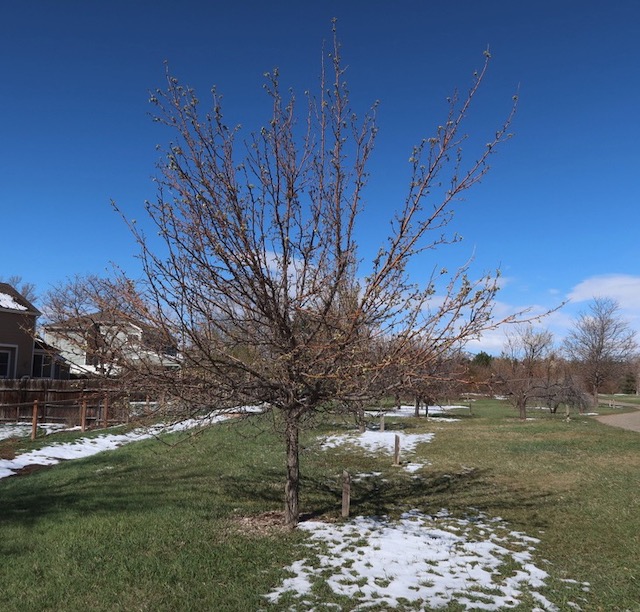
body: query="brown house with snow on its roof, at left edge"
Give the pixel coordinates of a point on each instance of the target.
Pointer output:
(21, 352)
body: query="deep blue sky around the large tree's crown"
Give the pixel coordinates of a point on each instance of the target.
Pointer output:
(558, 213)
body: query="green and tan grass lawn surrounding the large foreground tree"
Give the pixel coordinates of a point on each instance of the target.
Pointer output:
(190, 526)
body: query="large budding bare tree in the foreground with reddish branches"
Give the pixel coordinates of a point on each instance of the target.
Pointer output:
(257, 270)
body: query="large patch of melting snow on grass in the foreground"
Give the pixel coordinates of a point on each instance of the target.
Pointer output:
(423, 560)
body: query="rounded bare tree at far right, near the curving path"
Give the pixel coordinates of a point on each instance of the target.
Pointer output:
(600, 343)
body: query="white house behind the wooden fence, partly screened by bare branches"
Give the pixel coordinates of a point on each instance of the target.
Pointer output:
(105, 343)
